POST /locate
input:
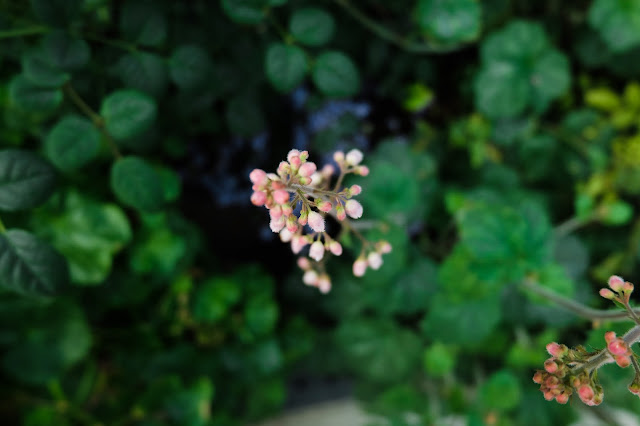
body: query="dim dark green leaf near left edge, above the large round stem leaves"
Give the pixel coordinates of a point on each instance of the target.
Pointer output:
(31, 97)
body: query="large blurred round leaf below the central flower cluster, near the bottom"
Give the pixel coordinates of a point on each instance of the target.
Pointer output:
(379, 350)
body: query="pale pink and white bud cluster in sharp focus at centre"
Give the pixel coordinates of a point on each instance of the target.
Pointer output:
(299, 197)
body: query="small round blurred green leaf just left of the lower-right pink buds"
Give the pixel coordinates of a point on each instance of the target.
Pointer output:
(501, 392)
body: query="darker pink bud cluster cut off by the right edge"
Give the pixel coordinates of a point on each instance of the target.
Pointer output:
(570, 370)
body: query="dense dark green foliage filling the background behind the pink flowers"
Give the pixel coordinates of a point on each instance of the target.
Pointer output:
(137, 286)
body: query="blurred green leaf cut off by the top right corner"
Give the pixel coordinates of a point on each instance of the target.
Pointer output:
(617, 21)
